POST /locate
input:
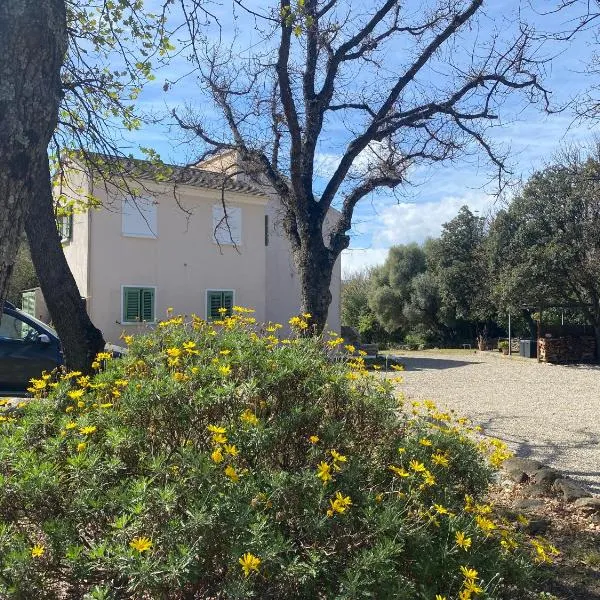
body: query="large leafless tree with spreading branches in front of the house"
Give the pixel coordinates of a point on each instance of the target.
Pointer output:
(408, 87)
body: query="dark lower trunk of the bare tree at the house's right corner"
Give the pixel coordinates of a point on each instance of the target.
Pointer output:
(315, 269)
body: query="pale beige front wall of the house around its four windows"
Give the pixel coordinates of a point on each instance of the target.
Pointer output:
(183, 262)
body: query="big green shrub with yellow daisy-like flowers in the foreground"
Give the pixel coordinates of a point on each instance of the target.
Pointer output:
(217, 461)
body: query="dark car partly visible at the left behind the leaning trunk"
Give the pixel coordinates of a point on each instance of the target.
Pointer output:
(27, 347)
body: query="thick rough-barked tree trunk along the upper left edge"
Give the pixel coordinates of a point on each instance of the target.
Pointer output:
(33, 42)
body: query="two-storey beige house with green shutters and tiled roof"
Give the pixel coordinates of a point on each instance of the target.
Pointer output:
(175, 246)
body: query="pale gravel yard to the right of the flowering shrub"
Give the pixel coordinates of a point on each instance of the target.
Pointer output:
(547, 412)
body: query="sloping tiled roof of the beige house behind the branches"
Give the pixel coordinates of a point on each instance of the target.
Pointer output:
(143, 169)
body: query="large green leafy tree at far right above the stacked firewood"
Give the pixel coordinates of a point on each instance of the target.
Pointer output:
(546, 243)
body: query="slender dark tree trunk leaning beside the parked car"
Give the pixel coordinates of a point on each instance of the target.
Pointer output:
(81, 341)
